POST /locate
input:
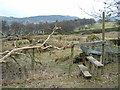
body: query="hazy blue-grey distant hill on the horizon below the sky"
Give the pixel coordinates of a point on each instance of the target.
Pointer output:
(38, 19)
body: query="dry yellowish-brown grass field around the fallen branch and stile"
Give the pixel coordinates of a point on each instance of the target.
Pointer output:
(49, 73)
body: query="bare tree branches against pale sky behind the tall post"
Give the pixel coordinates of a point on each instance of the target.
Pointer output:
(110, 7)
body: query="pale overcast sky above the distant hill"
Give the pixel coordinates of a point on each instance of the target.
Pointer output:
(26, 8)
